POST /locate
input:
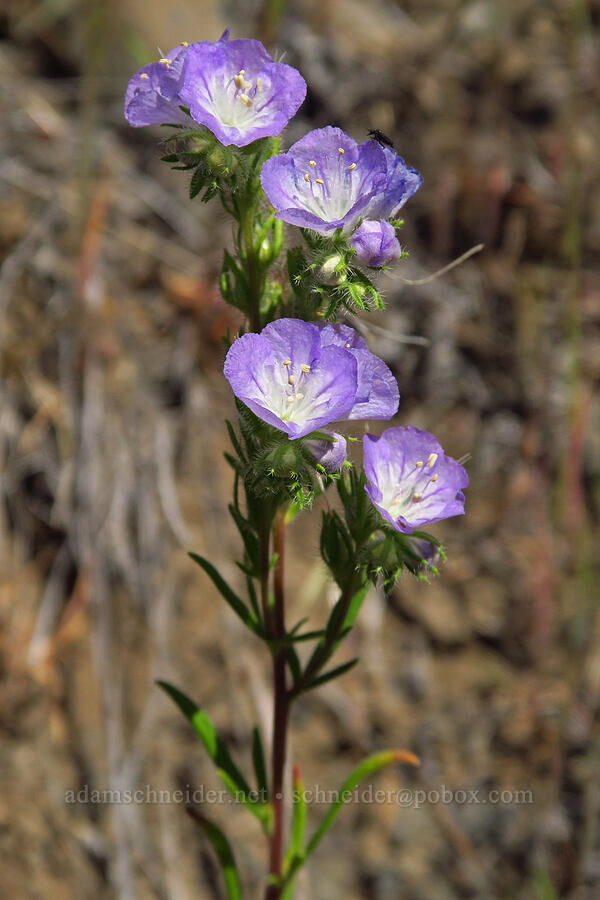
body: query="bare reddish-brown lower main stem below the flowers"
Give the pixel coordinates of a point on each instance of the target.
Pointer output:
(280, 714)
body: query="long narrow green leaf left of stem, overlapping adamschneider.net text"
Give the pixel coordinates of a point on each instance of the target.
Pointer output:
(216, 749)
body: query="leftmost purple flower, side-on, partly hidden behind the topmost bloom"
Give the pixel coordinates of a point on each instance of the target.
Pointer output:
(152, 96)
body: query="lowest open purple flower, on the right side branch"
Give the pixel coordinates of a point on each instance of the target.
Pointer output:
(410, 479)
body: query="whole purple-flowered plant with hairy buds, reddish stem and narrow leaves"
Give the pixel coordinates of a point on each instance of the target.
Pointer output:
(298, 374)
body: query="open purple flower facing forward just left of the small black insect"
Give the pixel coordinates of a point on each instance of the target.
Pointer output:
(325, 181)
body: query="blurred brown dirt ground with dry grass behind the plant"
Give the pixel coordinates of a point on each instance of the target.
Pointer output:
(112, 402)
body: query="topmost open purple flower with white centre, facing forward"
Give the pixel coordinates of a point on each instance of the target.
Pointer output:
(237, 91)
